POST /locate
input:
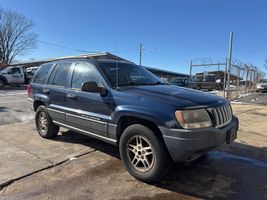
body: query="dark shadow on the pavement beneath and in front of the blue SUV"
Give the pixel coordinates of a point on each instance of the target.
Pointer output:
(237, 171)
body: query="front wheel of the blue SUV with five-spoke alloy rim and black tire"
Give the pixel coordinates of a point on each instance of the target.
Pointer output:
(148, 168)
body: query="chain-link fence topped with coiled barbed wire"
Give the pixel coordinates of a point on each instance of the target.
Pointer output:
(213, 76)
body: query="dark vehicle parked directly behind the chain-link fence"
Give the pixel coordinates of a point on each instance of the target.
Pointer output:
(208, 82)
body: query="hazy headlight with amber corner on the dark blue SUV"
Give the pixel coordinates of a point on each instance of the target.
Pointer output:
(190, 119)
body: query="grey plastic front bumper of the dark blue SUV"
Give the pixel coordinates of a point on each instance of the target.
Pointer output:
(186, 145)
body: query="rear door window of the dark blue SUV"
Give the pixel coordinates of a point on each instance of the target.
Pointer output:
(61, 74)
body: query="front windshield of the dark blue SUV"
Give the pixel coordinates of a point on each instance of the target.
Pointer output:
(128, 75)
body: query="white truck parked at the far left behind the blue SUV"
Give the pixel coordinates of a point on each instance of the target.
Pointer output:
(16, 75)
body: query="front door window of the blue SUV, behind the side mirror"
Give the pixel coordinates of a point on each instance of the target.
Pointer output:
(84, 72)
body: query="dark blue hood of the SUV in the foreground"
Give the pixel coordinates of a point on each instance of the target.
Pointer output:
(178, 96)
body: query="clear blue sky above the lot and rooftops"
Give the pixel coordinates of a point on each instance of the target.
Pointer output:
(172, 32)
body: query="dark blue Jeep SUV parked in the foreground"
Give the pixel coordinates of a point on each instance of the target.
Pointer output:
(123, 104)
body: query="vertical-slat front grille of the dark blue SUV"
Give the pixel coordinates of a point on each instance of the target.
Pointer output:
(222, 115)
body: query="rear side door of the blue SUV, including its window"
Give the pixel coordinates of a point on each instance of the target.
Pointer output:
(56, 90)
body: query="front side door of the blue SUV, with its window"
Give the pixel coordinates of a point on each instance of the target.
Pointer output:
(86, 110)
